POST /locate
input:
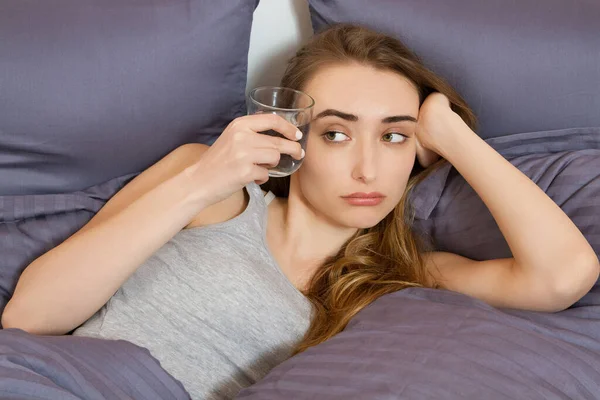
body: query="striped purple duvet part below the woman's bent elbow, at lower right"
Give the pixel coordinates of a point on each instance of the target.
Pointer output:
(435, 344)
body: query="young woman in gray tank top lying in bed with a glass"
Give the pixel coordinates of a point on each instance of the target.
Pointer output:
(190, 261)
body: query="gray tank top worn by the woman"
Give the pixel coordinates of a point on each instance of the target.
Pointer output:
(211, 305)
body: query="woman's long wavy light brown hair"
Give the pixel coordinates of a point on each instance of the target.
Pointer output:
(387, 257)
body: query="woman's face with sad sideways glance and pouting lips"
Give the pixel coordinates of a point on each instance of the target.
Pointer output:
(361, 146)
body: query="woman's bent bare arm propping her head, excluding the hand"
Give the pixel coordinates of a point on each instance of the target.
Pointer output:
(553, 264)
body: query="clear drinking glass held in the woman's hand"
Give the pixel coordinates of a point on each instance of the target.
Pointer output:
(295, 107)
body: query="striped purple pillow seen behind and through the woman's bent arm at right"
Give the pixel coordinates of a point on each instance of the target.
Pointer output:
(564, 163)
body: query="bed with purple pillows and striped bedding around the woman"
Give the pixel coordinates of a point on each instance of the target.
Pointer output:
(92, 93)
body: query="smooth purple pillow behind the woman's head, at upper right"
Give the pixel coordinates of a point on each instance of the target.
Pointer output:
(521, 66)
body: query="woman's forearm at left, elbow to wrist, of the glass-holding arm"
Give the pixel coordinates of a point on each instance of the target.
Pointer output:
(64, 287)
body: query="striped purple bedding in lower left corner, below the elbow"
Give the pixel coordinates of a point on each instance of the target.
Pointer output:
(70, 368)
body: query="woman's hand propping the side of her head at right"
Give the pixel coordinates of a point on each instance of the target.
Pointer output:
(433, 126)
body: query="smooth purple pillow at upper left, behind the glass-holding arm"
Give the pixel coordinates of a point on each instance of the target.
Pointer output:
(93, 90)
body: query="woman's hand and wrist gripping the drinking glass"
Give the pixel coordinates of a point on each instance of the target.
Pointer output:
(242, 155)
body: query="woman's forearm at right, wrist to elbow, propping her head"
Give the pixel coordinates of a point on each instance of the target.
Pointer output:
(544, 241)
